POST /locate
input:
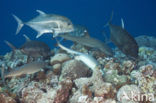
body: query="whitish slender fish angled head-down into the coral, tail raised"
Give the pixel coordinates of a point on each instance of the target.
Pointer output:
(85, 58)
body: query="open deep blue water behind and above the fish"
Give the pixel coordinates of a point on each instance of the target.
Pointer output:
(139, 17)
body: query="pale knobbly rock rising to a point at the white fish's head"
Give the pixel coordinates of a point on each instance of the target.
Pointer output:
(97, 85)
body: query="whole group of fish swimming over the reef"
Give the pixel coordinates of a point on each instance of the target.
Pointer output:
(61, 26)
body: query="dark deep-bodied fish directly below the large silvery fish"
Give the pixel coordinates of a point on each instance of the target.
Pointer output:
(33, 48)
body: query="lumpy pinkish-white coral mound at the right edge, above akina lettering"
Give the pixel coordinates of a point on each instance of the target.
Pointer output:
(145, 78)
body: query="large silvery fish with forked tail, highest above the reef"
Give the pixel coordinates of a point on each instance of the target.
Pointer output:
(46, 23)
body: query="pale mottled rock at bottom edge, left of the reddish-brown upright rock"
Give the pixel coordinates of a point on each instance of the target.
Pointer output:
(37, 92)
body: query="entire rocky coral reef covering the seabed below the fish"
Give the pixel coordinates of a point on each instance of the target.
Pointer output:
(66, 80)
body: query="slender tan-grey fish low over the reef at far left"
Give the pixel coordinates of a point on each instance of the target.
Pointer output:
(29, 68)
